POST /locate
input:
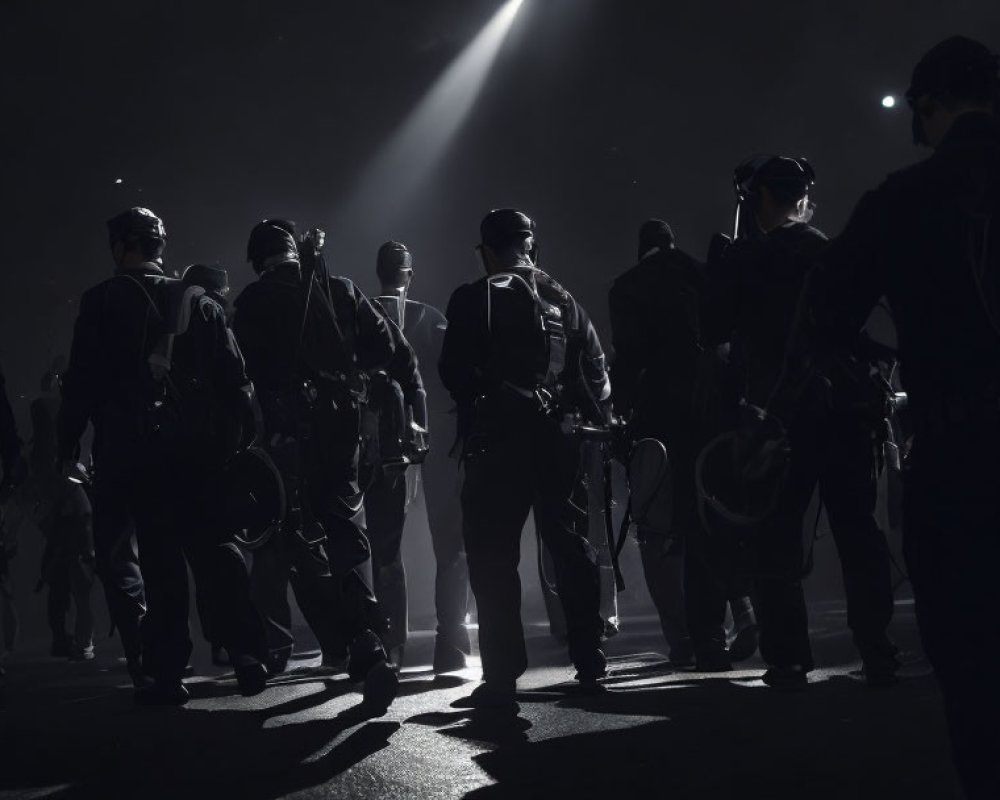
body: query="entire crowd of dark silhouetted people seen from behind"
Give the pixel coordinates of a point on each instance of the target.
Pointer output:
(290, 427)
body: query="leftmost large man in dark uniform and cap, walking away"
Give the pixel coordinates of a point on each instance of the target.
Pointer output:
(161, 437)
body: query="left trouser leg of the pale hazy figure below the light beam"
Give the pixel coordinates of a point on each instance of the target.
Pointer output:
(385, 515)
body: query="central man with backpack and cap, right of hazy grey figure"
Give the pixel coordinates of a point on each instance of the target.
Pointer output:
(519, 355)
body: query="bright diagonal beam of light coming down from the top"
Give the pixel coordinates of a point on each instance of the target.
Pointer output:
(402, 166)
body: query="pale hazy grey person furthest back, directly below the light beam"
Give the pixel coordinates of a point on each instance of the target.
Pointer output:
(424, 328)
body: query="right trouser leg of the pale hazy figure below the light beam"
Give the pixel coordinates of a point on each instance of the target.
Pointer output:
(451, 580)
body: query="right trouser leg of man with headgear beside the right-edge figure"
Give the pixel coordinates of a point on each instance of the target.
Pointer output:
(848, 488)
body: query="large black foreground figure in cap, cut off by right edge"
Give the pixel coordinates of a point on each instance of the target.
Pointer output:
(928, 240)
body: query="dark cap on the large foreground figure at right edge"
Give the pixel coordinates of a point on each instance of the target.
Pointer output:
(956, 70)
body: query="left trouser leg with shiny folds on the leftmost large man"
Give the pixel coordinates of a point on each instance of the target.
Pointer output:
(117, 561)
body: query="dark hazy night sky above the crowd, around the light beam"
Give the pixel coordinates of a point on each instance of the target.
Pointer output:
(597, 114)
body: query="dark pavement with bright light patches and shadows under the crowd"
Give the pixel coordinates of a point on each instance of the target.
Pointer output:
(71, 730)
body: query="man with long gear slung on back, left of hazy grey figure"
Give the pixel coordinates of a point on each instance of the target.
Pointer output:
(307, 342)
